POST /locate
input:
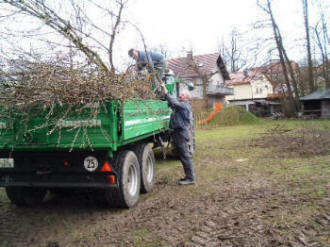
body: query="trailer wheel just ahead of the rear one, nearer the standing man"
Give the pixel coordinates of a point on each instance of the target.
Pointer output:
(146, 159)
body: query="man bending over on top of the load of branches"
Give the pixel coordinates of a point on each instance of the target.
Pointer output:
(149, 60)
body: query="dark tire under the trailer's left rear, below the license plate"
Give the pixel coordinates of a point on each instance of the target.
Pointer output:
(26, 196)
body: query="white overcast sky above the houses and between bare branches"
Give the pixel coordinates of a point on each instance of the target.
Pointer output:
(198, 25)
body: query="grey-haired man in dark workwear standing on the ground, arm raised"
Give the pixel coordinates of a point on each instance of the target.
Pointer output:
(180, 123)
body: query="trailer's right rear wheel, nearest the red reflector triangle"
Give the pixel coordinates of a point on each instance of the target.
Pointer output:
(129, 181)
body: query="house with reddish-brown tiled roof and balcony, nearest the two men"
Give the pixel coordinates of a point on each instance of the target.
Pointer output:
(192, 68)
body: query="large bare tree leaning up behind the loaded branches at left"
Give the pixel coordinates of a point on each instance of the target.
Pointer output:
(73, 29)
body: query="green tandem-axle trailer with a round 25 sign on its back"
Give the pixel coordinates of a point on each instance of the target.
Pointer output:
(104, 146)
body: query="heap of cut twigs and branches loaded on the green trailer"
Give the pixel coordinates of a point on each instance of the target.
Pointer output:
(28, 83)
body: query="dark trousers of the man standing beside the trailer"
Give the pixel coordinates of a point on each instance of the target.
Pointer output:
(181, 141)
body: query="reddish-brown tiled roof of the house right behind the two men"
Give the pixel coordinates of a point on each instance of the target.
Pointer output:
(181, 68)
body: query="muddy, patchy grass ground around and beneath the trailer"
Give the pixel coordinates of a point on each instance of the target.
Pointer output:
(247, 194)
